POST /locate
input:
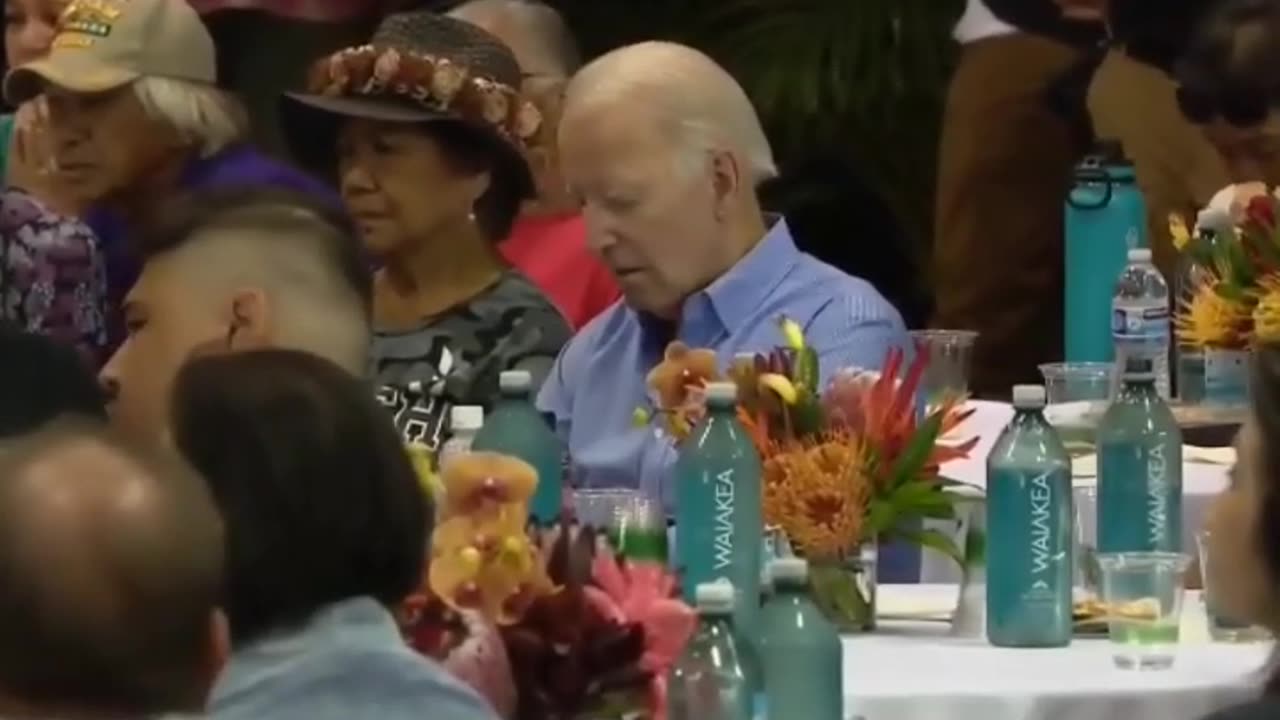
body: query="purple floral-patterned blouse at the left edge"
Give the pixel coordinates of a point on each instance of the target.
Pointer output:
(53, 279)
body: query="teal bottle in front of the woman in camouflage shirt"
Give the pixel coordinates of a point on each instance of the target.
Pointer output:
(515, 427)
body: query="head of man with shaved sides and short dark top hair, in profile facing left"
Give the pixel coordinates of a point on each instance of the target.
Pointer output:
(237, 268)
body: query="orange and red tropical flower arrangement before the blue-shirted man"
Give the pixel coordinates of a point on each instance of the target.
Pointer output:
(843, 467)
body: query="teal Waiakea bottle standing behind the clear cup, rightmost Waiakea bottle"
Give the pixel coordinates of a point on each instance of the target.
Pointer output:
(1140, 468)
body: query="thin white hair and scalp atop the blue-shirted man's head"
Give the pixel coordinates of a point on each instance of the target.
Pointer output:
(702, 106)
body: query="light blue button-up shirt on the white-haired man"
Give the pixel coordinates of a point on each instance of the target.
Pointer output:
(600, 379)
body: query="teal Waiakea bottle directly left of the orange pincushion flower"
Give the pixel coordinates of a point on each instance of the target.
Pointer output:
(719, 518)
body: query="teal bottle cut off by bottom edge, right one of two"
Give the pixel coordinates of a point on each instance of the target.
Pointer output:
(801, 650)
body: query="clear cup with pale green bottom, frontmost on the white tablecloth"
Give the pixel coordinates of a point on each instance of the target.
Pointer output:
(1144, 599)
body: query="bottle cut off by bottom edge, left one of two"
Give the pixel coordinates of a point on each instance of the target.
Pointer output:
(714, 678)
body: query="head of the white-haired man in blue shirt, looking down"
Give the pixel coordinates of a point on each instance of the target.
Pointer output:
(665, 151)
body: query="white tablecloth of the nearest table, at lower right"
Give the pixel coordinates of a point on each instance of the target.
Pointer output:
(913, 671)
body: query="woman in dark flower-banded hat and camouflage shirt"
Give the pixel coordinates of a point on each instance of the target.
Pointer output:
(424, 127)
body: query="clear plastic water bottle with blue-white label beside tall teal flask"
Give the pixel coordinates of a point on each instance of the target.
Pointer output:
(1140, 317)
